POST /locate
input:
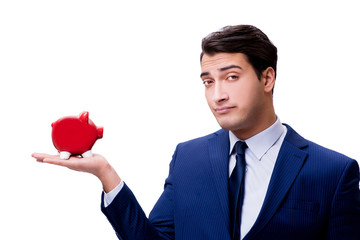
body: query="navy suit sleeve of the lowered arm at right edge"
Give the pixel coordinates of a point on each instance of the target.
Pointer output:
(344, 222)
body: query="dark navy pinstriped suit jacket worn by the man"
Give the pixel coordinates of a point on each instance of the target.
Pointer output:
(313, 194)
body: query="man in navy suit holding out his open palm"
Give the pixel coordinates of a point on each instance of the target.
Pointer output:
(253, 179)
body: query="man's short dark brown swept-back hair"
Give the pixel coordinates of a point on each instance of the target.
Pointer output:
(246, 39)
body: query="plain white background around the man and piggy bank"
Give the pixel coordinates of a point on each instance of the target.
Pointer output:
(134, 65)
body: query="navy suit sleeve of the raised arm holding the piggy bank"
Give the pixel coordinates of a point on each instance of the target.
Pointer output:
(129, 220)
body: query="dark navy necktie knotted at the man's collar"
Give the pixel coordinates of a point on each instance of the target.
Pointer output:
(236, 189)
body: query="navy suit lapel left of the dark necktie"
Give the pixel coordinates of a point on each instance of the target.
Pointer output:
(219, 158)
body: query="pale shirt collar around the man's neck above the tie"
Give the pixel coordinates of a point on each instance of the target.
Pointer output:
(260, 143)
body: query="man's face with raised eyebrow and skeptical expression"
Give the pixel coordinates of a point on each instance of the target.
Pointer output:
(235, 95)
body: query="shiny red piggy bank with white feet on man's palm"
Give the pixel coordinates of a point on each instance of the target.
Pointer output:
(75, 135)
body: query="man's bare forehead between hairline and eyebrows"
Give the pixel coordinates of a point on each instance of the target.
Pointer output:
(220, 60)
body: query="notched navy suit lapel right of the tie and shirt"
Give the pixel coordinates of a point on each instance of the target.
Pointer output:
(288, 165)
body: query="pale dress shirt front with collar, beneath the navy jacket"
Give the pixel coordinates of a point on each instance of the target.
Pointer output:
(260, 157)
